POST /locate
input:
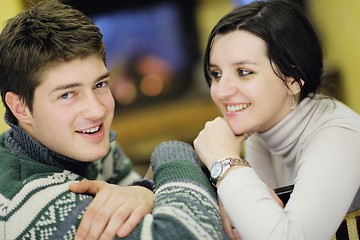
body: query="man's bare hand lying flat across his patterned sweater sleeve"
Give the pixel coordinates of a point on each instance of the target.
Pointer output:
(115, 210)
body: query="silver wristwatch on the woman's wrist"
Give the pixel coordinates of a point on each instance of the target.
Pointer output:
(220, 167)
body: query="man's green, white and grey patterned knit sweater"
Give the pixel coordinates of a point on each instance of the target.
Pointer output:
(35, 202)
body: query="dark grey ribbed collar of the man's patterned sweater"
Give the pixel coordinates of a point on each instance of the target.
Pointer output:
(19, 142)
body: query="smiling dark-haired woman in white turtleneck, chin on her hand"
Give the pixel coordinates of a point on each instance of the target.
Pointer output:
(264, 63)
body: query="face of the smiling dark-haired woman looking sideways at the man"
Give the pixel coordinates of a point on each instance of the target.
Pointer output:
(244, 86)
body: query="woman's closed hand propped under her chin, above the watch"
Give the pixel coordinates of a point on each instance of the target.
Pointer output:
(217, 141)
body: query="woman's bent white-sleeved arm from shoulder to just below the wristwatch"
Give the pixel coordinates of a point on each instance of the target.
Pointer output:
(326, 183)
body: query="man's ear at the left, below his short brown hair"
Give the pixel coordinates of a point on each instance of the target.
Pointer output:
(18, 107)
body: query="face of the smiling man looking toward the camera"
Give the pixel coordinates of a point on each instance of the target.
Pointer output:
(73, 109)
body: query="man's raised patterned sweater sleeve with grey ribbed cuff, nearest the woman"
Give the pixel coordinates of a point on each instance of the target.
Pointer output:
(185, 203)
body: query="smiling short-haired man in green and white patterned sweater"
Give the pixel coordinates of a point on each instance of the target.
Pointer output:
(55, 87)
